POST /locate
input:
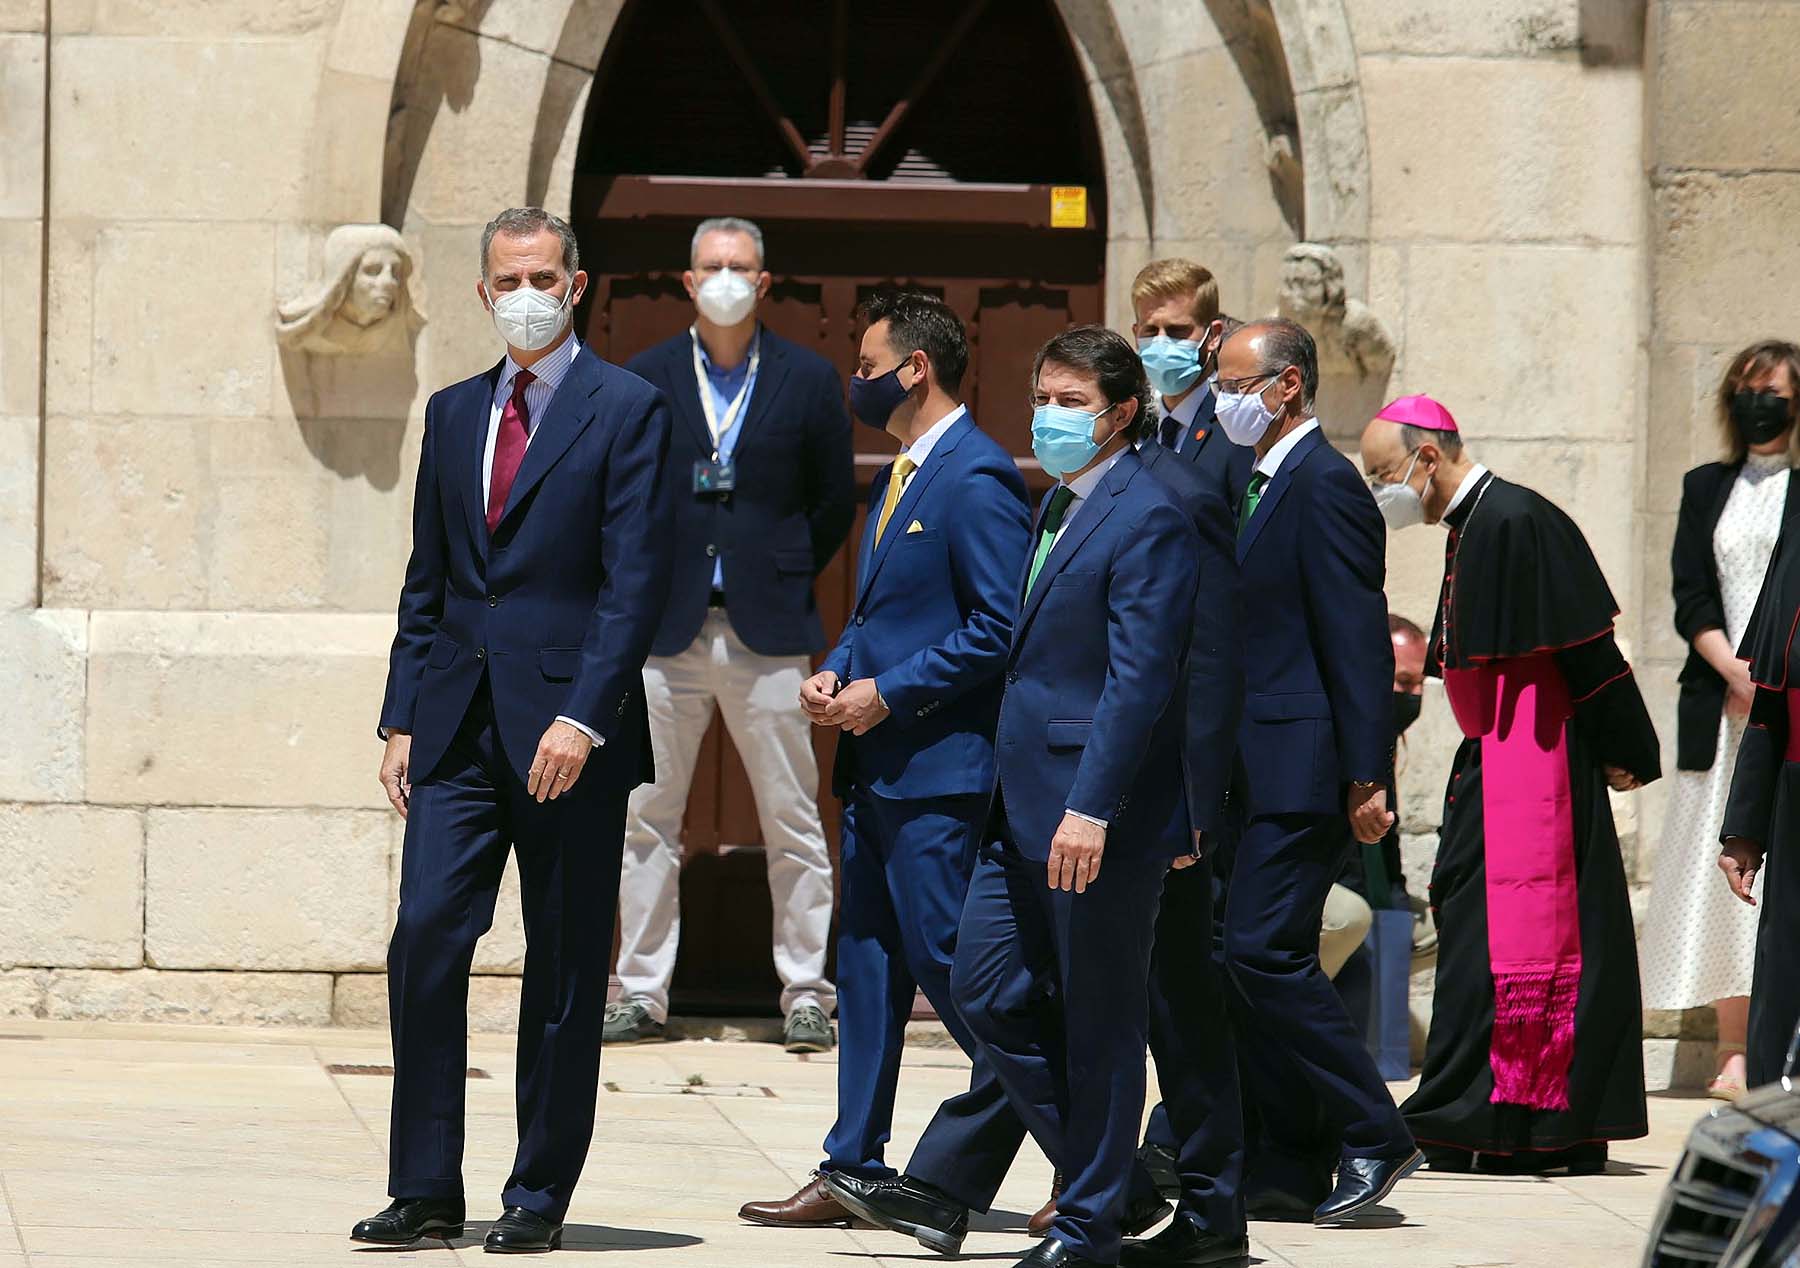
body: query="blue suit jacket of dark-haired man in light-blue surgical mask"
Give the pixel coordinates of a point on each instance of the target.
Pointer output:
(1095, 714)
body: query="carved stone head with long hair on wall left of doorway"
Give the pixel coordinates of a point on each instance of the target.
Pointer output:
(363, 303)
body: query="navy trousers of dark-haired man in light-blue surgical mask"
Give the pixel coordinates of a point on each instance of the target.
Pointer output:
(1056, 988)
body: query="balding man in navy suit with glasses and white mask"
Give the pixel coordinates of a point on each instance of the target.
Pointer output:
(1315, 741)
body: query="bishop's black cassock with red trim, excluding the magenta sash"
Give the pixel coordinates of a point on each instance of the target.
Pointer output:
(1522, 583)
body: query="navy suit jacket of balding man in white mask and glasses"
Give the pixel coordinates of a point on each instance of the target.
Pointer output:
(1318, 662)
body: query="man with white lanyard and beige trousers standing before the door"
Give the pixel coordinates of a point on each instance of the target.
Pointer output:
(762, 482)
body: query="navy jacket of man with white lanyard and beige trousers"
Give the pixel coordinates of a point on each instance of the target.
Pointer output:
(791, 511)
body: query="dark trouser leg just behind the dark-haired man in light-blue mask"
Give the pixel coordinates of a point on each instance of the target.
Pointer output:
(1196, 1058)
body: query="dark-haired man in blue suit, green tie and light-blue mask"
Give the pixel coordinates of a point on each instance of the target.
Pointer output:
(1054, 952)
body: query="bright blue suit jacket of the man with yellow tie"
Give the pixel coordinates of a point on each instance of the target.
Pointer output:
(933, 620)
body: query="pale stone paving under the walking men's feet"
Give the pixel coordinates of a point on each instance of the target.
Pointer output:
(159, 1145)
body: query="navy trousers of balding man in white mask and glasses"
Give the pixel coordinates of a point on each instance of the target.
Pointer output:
(1309, 1083)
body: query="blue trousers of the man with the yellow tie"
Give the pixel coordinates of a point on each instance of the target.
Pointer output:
(904, 880)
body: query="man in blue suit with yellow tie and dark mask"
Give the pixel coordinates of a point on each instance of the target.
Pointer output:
(913, 687)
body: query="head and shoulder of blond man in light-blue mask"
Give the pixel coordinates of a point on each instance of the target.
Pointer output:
(1180, 332)
